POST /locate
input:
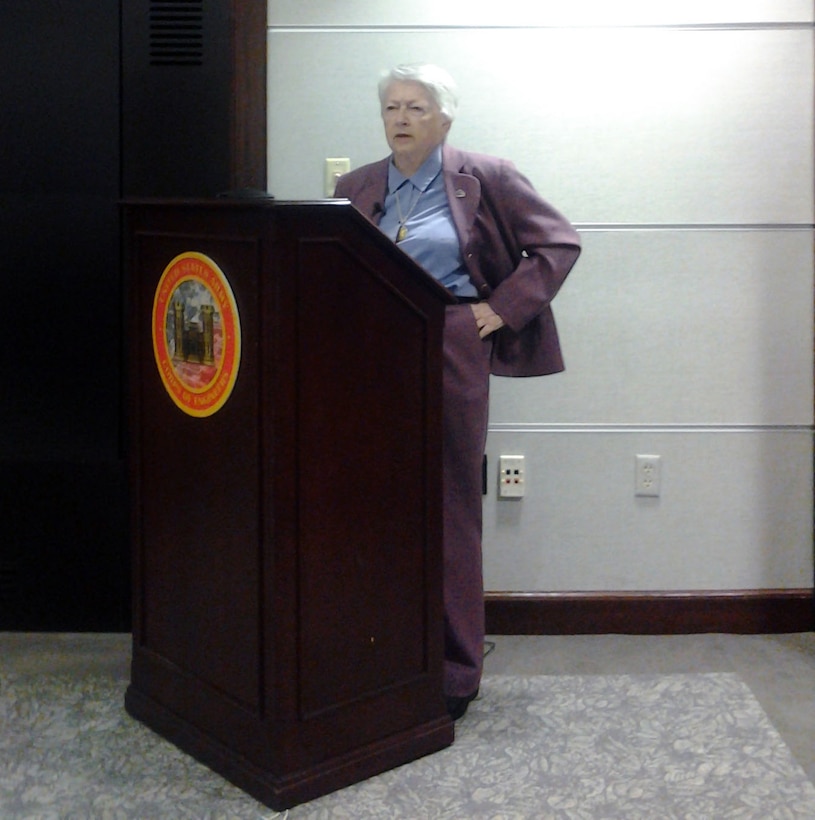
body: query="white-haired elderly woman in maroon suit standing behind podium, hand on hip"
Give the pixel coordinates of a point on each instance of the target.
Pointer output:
(479, 227)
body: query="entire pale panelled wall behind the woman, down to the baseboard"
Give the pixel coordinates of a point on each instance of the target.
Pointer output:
(678, 137)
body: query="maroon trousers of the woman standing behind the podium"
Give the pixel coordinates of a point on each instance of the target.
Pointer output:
(466, 408)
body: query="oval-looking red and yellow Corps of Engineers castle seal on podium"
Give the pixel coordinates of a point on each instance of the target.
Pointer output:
(196, 334)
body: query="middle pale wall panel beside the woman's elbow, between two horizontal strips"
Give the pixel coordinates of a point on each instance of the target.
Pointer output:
(679, 327)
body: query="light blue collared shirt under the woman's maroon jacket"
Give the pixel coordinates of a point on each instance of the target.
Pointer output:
(421, 203)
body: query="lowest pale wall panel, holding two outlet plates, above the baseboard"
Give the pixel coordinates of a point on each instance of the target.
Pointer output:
(735, 512)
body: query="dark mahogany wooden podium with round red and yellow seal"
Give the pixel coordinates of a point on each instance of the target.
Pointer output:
(285, 443)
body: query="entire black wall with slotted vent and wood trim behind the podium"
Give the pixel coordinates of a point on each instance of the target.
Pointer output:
(100, 101)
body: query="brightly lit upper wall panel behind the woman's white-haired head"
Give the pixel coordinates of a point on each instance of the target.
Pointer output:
(636, 126)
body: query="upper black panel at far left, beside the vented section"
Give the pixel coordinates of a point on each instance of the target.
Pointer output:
(59, 186)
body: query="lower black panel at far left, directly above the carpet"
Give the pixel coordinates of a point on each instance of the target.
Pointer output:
(64, 564)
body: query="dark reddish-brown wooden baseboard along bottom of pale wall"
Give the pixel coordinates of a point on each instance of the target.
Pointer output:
(744, 612)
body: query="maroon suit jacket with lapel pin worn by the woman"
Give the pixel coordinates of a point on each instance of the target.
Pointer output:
(517, 248)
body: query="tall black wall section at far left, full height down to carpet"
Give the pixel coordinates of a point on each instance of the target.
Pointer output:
(63, 535)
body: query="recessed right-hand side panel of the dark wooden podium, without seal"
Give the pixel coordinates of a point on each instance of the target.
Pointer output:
(362, 514)
